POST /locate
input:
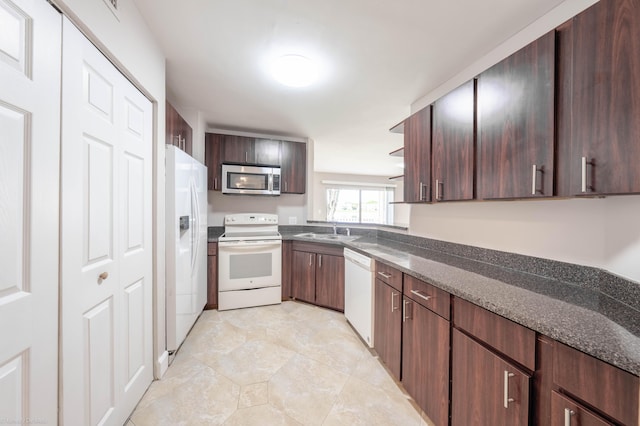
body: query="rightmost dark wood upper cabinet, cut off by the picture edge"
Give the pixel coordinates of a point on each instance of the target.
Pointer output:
(599, 100)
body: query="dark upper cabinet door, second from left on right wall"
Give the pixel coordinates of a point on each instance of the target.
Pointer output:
(453, 145)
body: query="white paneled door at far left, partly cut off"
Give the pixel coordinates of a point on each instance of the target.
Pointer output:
(29, 201)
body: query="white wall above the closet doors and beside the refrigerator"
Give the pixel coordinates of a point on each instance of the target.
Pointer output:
(129, 44)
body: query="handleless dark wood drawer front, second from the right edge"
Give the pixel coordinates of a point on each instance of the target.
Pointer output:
(513, 340)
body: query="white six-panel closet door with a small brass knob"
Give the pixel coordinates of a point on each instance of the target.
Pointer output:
(106, 287)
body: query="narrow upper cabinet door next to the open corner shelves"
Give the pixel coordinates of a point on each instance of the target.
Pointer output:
(417, 156)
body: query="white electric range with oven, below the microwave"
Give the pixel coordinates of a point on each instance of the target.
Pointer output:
(249, 261)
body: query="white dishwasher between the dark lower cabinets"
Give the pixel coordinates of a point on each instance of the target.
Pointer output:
(359, 293)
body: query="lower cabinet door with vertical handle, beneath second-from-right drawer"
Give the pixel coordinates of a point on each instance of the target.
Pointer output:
(485, 389)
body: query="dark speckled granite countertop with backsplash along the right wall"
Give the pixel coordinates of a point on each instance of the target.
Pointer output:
(573, 313)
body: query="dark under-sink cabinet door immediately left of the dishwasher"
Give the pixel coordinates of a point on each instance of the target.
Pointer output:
(330, 281)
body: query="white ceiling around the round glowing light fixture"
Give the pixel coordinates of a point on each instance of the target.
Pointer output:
(378, 57)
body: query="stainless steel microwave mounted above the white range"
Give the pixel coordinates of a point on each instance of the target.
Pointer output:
(251, 180)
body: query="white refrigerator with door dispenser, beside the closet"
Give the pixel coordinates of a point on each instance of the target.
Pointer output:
(186, 243)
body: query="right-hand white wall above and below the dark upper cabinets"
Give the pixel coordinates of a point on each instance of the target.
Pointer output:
(603, 233)
